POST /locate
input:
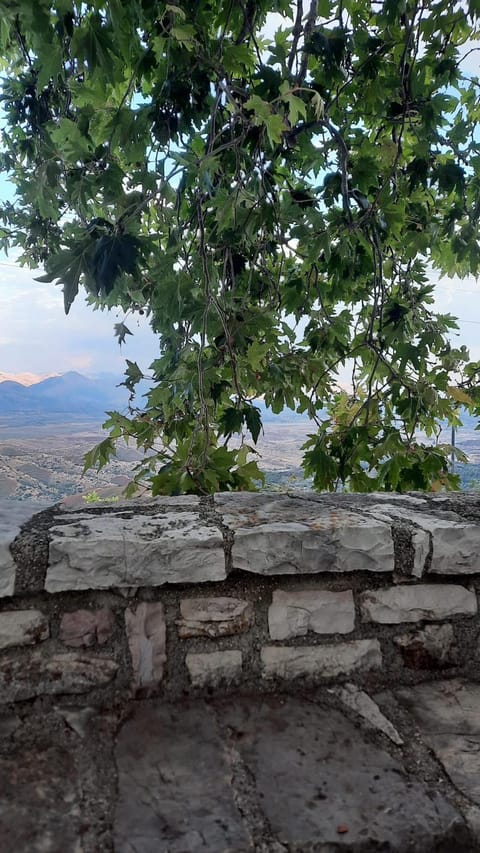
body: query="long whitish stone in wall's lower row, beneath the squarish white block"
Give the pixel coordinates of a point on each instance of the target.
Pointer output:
(320, 661)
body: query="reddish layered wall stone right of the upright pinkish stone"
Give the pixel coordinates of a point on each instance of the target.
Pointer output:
(214, 617)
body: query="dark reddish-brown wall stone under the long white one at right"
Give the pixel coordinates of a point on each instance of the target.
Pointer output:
(431, 648)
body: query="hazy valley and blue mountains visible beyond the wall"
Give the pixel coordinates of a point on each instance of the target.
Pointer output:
(45, 434)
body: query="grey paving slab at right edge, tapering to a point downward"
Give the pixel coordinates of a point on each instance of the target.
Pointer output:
(448, 715)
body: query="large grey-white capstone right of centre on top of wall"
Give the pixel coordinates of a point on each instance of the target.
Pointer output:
(286, 535)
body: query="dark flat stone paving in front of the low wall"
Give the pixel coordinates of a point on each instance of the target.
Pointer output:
(325, 770)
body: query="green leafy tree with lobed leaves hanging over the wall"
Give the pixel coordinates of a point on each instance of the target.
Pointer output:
(274, 194)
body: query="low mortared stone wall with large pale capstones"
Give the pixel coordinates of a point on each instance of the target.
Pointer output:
(173, 595)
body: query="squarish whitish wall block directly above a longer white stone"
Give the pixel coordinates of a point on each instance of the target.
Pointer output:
(293, 614)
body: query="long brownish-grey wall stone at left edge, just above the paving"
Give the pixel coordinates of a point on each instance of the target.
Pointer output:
(24, 678)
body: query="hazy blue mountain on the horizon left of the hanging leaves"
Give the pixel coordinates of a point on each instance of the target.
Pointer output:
(69, 395)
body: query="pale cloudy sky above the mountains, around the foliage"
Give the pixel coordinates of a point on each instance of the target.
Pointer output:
(37, 337)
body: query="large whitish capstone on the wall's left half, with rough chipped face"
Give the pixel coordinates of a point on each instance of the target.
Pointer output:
(111, 550)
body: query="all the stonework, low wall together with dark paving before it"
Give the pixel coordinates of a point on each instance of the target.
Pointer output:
(242, 673)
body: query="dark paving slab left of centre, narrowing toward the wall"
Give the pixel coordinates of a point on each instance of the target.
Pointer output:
(174, 784)
